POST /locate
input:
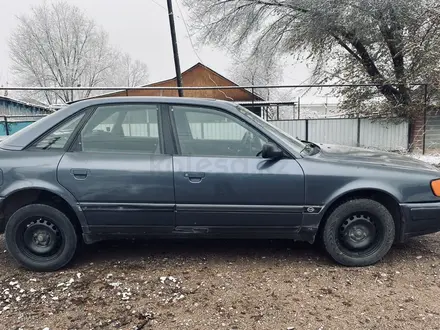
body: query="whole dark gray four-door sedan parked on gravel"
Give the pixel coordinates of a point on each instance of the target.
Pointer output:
(191, 168)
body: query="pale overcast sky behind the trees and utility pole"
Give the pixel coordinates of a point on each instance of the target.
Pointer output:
(139, 27)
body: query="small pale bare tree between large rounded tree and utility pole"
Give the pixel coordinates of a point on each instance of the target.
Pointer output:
(127, 72)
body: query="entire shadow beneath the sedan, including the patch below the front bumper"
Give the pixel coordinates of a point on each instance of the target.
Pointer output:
(232, 250)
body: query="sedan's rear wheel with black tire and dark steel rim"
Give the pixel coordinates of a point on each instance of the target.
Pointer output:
(35, 228)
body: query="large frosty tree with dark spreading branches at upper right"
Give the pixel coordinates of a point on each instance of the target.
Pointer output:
(386, 42)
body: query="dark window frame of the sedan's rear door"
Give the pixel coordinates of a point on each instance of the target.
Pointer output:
(160, 113)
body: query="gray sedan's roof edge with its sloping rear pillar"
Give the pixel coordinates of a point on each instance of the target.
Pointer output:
(28, 134)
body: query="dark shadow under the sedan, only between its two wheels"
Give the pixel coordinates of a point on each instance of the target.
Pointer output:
(194, 249)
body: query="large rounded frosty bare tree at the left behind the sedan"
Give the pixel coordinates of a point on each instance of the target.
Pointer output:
(57, 45)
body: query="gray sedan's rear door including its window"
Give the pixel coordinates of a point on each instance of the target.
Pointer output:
(118, 171)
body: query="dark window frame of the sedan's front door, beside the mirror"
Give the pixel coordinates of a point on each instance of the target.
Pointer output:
(241, 120)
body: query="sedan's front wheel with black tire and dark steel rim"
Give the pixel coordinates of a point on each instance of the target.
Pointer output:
(359, 233)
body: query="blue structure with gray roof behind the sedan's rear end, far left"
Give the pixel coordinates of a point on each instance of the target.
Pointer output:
(16, 115)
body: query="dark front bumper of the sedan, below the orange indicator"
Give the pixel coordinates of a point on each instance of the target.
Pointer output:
(420, 219)
